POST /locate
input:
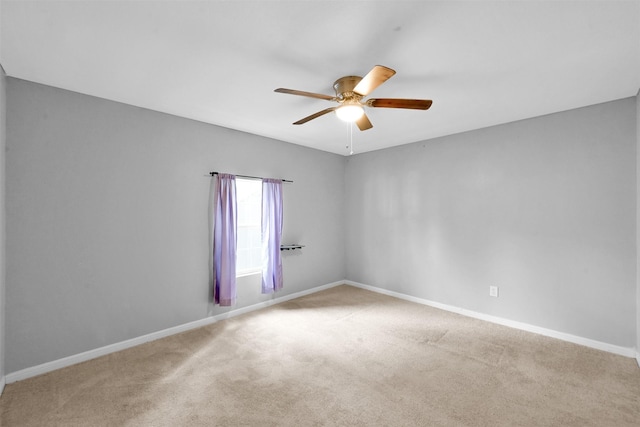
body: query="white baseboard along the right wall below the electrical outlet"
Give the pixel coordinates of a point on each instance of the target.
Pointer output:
(622, 351)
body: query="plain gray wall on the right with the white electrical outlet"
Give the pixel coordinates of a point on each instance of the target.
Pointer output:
(543, 208)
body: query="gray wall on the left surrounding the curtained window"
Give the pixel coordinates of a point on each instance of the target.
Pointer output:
(107, 219)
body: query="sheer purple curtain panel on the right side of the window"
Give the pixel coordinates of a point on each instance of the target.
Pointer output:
(271, 235)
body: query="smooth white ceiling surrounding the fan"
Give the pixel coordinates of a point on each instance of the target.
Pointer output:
(481, 62)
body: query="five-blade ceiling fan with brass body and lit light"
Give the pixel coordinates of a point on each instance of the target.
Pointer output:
(350, 91)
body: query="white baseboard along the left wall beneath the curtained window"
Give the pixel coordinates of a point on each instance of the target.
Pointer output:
(112, 348)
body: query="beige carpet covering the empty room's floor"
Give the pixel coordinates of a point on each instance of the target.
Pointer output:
(344, 357)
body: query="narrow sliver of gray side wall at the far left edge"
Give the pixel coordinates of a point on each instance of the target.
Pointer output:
(3, 105)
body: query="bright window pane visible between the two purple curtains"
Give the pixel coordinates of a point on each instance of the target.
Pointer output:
(249, 199)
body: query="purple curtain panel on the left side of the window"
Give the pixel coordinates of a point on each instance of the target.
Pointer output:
(224, 240)
